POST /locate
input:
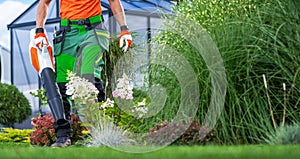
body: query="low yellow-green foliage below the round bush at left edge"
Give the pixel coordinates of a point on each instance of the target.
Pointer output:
(14, 135)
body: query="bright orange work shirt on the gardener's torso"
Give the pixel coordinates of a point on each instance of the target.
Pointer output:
(79, 9)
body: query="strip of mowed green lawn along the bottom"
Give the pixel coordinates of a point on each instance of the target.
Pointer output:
(24, 151)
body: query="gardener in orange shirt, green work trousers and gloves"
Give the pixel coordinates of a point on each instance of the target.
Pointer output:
(78, 46)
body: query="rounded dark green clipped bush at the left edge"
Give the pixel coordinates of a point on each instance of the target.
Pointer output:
(14, 106)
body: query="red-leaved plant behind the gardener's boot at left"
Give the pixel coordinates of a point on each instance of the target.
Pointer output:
(44, 133)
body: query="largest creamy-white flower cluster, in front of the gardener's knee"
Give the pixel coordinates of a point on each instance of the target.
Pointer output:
(81, 89)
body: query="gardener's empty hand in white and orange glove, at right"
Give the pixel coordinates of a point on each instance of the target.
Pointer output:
(125, 39)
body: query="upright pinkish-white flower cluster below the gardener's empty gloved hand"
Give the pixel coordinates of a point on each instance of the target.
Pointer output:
(123, 89)
